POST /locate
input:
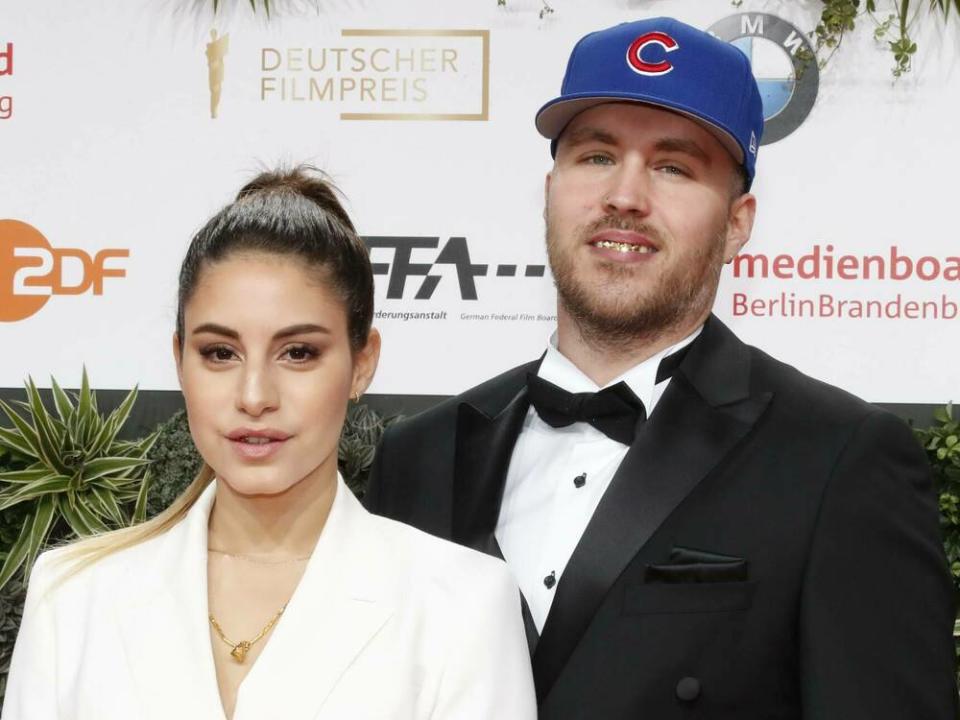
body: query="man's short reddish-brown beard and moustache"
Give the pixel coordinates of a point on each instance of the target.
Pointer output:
(617, 313)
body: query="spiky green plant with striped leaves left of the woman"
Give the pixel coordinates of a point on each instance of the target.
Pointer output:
(78, 479)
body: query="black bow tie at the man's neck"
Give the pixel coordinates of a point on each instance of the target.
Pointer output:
(615, 411)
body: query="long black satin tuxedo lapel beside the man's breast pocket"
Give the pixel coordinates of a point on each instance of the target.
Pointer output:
(706, 410)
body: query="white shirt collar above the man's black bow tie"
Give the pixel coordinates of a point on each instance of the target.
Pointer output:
(641, 378)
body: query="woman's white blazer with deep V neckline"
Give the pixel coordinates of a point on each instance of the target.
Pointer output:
(387, 622)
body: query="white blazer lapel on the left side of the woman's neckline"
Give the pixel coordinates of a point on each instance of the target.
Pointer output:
(162, 618)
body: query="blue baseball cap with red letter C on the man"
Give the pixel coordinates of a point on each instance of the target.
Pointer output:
(665, 63)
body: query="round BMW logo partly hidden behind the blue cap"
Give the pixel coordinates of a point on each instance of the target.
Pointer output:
(788, 79)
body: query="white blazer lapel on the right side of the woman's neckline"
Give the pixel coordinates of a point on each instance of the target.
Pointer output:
(342, 601)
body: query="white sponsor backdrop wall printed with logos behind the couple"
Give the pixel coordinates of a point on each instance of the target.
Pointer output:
(852, 274)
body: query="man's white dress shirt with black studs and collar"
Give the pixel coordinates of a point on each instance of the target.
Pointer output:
(557, 477)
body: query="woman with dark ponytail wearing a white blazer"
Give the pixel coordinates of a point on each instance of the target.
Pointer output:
(266, 591)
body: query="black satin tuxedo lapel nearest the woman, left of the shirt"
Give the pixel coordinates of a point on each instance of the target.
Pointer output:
(483, 449)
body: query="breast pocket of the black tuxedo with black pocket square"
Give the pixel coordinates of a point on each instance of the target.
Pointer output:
(681, 598)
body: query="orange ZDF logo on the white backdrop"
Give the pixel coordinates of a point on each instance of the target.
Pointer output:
(31, 270)
